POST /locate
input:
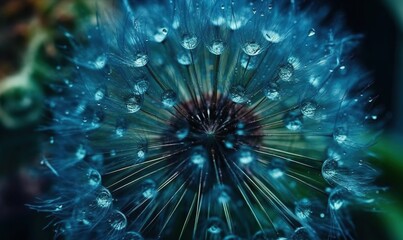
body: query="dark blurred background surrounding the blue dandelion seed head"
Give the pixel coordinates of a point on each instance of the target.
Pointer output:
(29, 36)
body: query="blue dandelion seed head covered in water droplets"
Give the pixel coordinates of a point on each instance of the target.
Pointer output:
(210, 120)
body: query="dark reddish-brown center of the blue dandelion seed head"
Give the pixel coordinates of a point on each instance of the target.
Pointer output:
(212, 131)
